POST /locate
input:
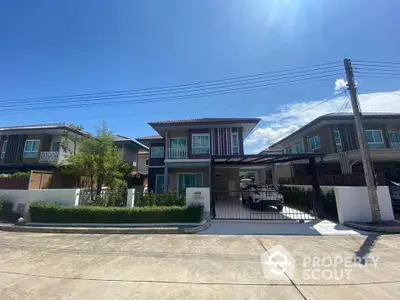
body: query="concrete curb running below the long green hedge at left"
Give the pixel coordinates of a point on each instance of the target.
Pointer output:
(106, 230)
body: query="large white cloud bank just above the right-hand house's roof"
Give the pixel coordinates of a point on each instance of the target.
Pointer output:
(292, 116)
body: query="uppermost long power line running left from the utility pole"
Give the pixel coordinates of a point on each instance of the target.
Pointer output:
(287, 72)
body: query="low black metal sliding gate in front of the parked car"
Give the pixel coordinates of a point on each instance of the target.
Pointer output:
(263, 204)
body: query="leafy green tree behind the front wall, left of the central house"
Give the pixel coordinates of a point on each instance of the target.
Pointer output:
(99, 161)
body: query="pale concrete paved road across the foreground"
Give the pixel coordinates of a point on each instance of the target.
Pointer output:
(62, 266)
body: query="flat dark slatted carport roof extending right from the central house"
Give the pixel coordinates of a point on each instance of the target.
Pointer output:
(260, 159)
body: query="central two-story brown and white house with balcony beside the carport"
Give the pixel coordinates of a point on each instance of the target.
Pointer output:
(183, 149)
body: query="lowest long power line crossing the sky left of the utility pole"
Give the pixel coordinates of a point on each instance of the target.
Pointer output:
(169, 98)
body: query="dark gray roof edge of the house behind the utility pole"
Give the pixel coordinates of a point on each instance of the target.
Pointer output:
(338, 117)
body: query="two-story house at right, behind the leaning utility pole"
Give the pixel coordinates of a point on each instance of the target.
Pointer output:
(335, 135)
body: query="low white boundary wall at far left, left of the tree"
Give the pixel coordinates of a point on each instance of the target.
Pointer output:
(65, 197)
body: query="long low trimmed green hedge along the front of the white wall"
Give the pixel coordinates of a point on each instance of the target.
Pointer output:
(45, 212)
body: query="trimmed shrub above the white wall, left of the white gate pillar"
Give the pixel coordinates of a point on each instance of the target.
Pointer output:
(169, 198)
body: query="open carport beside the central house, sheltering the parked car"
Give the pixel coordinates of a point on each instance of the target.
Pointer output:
(226, 202)
